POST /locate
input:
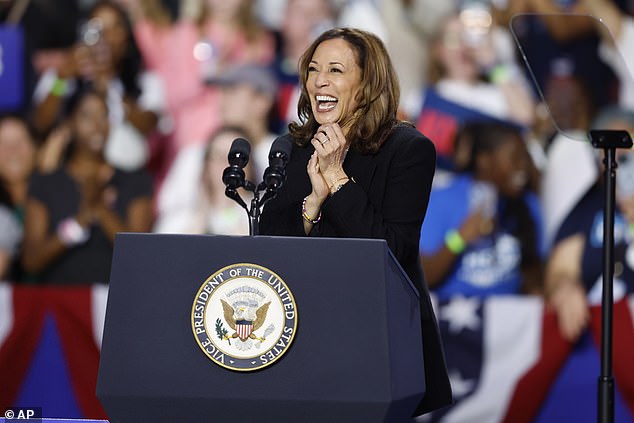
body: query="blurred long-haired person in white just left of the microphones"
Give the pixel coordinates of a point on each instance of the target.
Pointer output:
(201, 206)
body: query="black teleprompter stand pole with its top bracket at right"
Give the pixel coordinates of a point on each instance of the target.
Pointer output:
(609, 141)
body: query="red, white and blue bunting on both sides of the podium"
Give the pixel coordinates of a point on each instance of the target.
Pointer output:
(506, 358)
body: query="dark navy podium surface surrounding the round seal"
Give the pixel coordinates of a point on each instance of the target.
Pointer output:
(356, 354)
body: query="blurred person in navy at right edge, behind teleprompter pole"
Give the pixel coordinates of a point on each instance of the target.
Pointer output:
(575, 267)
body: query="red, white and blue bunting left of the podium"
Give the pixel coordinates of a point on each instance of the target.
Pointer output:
(50, 338)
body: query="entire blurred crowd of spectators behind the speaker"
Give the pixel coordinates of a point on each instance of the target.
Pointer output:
(125, 111)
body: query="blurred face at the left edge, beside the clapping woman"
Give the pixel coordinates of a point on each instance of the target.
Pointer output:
(17, 151)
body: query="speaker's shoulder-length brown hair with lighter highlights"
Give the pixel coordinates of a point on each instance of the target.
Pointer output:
(378, 98)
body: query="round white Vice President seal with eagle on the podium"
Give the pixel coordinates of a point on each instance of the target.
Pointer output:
(244, 317)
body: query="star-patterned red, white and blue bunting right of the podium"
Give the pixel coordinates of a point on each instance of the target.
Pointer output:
(508, 362)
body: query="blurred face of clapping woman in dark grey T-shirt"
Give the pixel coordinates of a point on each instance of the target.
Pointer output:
(91, 124)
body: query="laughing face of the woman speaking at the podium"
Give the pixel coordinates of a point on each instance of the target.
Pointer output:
(334, 79)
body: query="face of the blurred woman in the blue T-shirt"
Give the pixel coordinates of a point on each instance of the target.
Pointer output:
(508, 167)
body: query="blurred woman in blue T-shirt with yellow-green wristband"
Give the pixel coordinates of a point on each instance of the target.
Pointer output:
(483, 234)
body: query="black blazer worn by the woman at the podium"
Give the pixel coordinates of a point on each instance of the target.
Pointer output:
(386, 199)
